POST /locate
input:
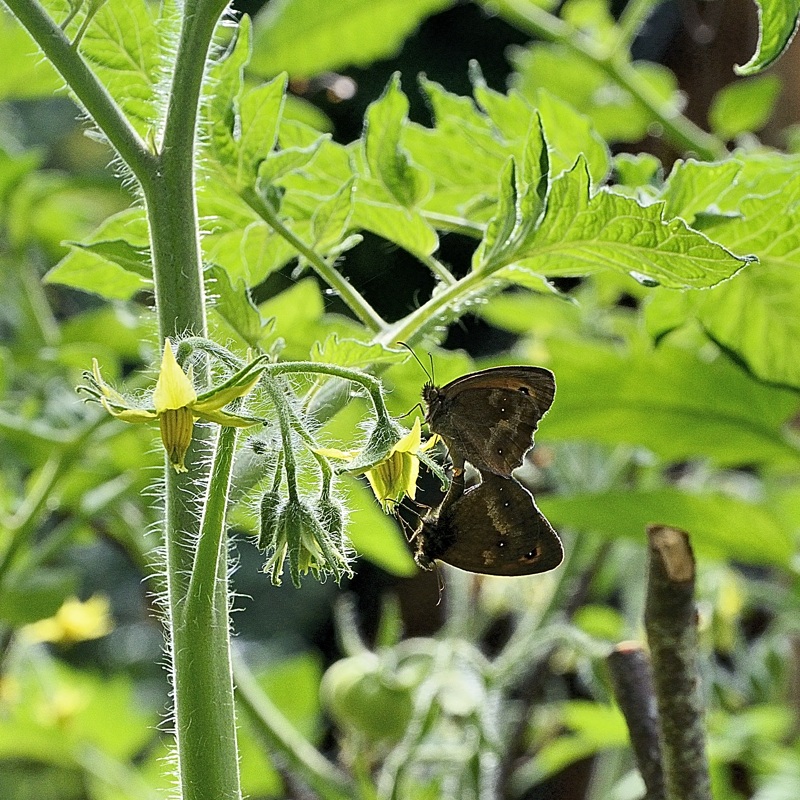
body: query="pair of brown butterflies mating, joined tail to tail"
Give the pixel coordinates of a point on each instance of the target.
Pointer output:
(488, 418)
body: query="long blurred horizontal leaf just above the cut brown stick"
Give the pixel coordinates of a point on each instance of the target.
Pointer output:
(720, 526)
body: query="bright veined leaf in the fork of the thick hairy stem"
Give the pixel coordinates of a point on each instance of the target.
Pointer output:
(123, 45)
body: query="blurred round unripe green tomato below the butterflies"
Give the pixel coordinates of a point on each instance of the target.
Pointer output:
(363, 697)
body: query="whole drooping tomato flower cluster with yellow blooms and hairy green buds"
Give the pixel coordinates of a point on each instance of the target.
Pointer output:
(307, 532)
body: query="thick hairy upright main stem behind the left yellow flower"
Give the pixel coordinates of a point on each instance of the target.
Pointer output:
(205, 725)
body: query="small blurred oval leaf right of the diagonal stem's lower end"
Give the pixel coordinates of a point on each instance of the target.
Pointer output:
(744, 106)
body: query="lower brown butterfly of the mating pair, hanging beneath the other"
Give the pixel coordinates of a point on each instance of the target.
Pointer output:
(494, 529)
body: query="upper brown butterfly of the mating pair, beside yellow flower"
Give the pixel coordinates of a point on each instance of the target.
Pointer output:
(489, 417)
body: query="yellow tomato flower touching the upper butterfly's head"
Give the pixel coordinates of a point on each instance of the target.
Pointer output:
(394, 476)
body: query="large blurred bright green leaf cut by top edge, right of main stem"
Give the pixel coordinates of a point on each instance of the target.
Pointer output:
(308, 37)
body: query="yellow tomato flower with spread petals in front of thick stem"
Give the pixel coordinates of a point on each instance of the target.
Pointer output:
(176, 404)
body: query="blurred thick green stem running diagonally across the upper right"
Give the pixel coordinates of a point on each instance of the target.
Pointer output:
(680, 131)
